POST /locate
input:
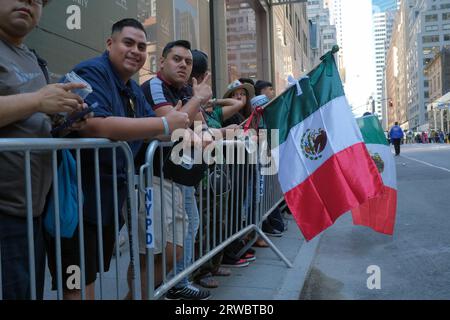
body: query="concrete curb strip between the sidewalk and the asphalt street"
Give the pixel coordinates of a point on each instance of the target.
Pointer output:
(296, 277)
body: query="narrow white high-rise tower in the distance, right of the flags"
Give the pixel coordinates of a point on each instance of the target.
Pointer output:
(382, 26)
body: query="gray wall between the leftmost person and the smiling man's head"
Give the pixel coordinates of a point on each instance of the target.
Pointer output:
(72, 31)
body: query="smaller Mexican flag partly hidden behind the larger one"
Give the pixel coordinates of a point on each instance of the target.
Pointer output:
(378, 213)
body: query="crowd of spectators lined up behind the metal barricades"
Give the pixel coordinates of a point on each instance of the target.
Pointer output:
(177, 97)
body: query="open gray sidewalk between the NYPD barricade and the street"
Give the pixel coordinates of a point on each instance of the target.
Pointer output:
(269, 278)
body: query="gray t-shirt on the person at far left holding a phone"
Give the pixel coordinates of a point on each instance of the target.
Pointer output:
(20, 73)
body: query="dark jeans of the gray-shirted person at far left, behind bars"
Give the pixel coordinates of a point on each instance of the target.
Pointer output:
(15, 273)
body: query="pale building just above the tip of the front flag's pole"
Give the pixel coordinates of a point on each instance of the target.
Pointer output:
(325, 32)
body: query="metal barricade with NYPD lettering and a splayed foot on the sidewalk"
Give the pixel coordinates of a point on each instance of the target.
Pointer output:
(233, 199)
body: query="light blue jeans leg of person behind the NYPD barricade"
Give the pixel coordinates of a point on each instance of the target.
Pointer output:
(190, 206)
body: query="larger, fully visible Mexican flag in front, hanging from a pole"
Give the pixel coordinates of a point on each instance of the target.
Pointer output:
(324, 167)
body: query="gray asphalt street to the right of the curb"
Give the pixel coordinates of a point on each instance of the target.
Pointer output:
(415, 262)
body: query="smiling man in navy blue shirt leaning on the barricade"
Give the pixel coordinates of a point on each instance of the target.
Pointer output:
(122, 114)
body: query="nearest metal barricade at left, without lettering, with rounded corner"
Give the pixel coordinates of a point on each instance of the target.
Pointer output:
(28, 147)
